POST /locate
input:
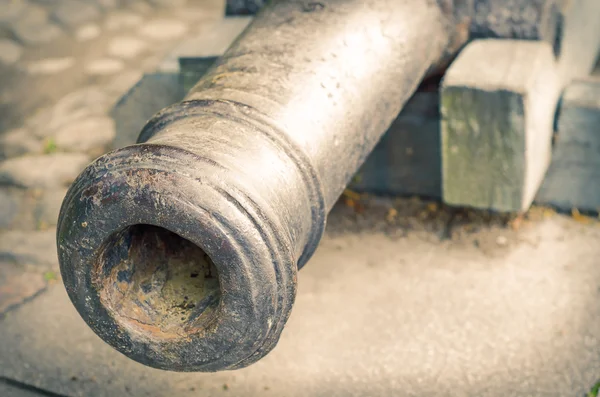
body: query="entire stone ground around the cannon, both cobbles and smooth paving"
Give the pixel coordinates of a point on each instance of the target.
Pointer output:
(403, 297)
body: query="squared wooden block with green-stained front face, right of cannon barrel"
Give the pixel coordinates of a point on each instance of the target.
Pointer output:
(498, 101)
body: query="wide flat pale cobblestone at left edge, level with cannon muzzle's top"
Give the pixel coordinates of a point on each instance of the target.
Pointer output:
(43, 171)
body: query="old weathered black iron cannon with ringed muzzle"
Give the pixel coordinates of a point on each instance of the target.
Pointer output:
(182, 251)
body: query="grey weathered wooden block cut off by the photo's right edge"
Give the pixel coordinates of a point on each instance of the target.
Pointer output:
(573, 179)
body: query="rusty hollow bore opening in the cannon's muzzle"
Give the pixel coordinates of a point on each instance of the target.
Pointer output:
(156, 284)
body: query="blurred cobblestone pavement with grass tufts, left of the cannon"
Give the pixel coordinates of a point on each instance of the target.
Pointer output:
(63, 65)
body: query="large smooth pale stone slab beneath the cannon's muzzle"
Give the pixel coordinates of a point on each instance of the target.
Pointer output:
(375, 316)
